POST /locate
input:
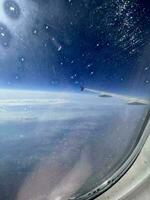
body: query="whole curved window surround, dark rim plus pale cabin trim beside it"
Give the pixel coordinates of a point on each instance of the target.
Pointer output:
(132, 173)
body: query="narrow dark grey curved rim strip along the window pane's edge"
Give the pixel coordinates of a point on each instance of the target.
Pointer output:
(124, 167)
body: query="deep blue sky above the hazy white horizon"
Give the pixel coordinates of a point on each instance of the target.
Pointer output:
(62, 44)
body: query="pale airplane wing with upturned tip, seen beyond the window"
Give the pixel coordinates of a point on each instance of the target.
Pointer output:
(127, 99)
